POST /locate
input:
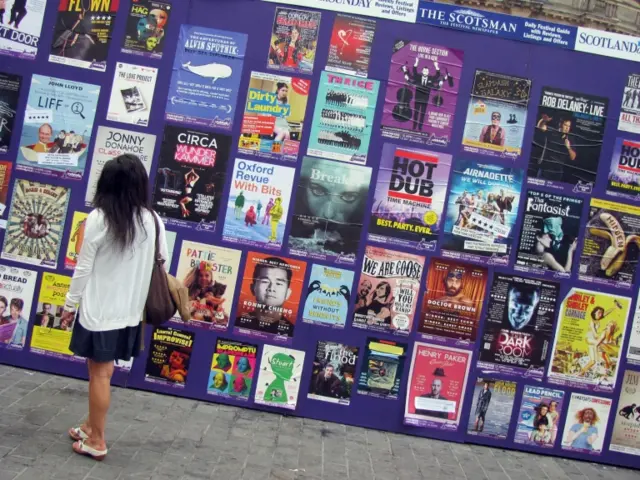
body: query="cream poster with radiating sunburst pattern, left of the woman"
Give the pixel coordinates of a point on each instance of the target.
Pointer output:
(36, 223)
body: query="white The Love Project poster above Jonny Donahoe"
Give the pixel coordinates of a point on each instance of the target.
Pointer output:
(132, 94)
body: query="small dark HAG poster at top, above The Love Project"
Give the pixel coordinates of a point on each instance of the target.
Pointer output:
(146, 28)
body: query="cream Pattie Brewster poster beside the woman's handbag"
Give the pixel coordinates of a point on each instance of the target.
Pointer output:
(209, 273)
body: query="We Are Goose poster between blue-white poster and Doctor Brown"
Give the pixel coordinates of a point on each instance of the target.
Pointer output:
(388, 291)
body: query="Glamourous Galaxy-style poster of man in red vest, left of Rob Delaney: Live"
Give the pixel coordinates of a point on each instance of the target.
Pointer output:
(497, 115)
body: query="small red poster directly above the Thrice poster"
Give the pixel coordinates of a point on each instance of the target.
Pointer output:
(350, 45)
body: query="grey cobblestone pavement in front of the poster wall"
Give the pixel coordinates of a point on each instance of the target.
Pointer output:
(153, 436)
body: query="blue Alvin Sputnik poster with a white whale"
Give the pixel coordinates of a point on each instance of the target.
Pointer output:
(206, 74)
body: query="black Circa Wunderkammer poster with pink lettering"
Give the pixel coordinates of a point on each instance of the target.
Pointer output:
(190, 177)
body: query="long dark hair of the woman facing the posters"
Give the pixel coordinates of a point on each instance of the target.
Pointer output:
(123, 194)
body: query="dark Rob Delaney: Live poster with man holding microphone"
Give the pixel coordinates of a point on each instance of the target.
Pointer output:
(567, 140)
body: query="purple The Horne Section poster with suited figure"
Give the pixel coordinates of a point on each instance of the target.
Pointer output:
(422, 92)
